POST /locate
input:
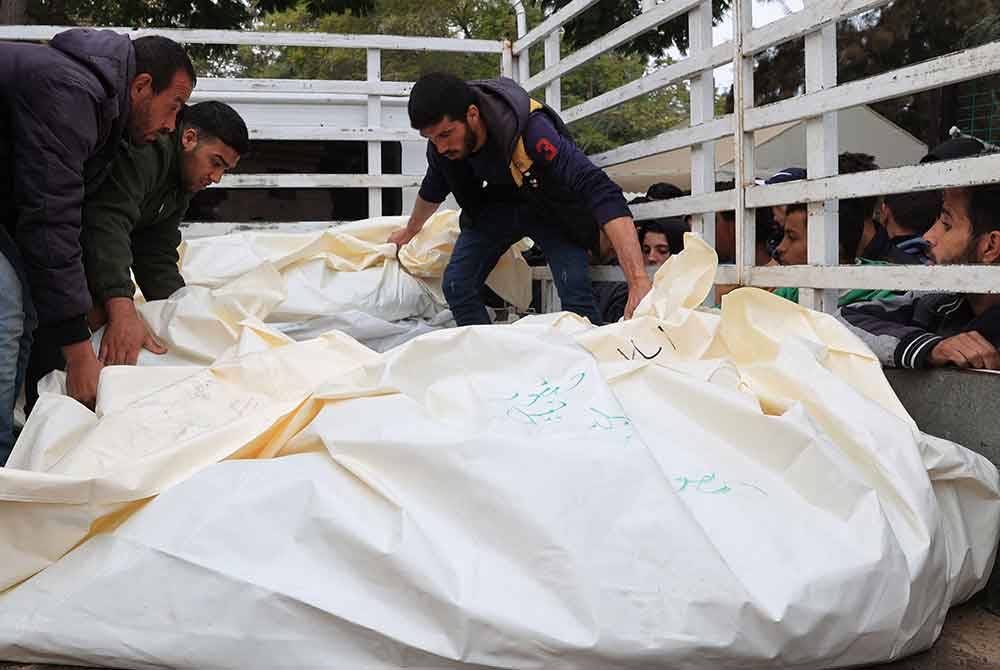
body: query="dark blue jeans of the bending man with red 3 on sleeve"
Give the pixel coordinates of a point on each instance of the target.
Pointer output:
(481, 245)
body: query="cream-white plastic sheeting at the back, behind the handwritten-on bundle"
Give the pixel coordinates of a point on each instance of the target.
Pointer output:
(347, 273)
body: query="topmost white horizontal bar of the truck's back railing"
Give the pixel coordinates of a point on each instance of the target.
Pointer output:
(278, 38)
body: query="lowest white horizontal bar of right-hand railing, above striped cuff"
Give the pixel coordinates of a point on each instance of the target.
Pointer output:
(952, 278)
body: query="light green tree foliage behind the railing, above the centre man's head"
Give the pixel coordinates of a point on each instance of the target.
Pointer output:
(479, 19)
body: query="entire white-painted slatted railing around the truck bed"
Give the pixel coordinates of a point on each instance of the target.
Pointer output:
(818, 105)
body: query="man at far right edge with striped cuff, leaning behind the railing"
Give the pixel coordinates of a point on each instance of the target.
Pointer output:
(933, 330)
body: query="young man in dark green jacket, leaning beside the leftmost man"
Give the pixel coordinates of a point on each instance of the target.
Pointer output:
(133, 221)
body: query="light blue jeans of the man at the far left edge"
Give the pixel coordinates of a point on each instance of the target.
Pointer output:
(17, 323)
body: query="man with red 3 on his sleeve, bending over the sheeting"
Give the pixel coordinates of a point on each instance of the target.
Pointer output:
(516, 173)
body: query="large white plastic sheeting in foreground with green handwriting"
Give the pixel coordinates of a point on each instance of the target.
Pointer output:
(686, 489)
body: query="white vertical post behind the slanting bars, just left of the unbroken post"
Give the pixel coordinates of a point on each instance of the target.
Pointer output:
(702, 110)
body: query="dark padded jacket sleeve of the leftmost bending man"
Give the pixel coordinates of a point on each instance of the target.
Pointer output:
(54, 131)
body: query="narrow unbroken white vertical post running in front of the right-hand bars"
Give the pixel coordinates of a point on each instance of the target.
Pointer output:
(743, 99)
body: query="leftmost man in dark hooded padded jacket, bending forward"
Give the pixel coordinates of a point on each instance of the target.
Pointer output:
(65, 110)
